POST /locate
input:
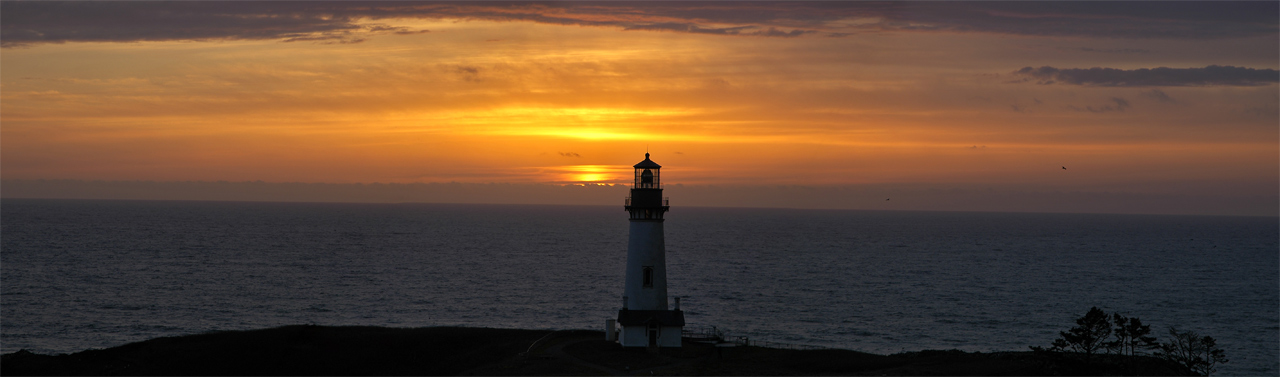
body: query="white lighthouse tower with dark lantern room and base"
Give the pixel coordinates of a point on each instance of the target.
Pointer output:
(644, 319)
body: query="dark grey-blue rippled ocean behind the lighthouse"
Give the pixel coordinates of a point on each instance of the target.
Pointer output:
(79, 275)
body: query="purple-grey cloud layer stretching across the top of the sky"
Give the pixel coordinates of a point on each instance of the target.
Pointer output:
(56, 22)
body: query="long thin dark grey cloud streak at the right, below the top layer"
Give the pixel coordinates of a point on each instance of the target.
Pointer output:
(1154, 77)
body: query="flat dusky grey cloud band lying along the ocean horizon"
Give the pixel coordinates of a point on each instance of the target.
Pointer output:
(906, 197)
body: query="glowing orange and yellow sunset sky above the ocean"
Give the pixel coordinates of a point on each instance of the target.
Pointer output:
(1086, 105)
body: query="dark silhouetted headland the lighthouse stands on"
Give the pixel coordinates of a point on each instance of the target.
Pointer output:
(360, 351)
